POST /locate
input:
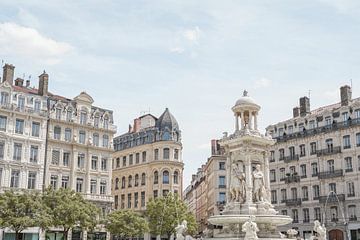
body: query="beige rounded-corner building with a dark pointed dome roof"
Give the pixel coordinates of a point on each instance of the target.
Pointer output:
(147, 162)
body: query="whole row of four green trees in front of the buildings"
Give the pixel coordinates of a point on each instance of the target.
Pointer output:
(67, 209)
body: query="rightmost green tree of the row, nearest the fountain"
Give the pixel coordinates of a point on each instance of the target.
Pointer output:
(165, 213)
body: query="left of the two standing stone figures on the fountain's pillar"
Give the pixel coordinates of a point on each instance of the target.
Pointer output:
(237, 188)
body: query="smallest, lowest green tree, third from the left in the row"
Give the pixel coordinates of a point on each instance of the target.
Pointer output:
(126, 223)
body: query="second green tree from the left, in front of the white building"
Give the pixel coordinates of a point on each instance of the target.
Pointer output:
(69, 209)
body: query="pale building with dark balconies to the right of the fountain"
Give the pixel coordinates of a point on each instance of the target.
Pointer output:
(315, 167)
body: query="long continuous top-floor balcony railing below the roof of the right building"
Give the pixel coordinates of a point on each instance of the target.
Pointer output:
(318, 130)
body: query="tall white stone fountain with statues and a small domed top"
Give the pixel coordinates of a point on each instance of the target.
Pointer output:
(248, 213)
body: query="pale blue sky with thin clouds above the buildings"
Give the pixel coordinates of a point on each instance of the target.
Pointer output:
(194, 57)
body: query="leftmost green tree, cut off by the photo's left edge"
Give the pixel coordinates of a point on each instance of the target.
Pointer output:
(21, 210)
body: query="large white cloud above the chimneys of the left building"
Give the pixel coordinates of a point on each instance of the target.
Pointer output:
(16, 40)
